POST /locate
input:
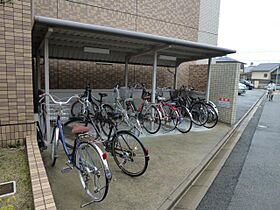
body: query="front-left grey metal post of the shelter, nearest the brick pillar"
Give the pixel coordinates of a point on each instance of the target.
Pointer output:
(47, 87)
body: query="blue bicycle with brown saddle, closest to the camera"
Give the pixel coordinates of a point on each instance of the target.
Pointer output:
(86, 156)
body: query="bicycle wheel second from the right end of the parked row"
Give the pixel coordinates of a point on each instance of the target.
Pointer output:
(199, 113)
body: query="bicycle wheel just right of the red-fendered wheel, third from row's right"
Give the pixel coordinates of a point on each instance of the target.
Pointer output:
(185, 119)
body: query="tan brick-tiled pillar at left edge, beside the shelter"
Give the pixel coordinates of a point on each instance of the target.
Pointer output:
(16, 99)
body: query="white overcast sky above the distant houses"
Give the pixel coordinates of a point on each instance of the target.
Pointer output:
(252, 28)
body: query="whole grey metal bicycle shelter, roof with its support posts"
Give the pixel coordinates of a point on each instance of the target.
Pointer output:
(63, 39)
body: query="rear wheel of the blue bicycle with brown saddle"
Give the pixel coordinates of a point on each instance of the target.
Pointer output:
(92, 170)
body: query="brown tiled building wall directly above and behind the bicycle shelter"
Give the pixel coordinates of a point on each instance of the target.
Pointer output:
(174, 18)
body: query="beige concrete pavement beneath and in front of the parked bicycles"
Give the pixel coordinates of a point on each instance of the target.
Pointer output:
(173, 160)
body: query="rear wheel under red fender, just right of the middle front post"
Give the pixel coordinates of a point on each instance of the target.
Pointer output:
(170, 118)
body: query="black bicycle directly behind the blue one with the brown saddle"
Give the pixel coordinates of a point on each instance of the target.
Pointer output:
(127, 150)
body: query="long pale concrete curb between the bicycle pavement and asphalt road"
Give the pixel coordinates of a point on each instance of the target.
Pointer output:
(176, 195)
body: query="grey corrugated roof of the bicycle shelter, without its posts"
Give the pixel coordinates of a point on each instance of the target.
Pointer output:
(69, 38)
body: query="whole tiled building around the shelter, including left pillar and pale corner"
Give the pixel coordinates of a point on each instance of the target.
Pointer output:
(191, 20)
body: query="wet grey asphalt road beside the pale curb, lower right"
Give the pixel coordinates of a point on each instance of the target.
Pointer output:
(250, 177)
